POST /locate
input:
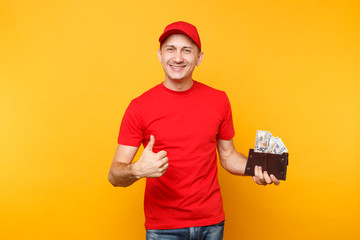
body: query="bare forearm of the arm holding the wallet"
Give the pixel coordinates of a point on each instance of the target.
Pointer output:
(234, 162)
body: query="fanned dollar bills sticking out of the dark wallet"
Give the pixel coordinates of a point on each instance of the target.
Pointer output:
(265, 142)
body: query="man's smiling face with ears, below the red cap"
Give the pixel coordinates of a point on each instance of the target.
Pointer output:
(179, 55)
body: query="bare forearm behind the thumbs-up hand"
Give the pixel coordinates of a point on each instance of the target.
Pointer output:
(122, 174)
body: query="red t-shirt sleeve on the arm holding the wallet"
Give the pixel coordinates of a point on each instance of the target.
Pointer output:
(226, 129)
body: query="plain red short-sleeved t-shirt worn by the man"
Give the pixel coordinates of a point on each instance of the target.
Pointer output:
(186, 125)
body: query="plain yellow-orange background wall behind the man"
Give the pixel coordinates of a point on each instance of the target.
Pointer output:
(68, 70)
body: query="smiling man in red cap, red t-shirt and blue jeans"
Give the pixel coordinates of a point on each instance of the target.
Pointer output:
(181, 123)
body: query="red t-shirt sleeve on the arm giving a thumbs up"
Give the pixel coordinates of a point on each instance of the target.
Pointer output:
(131, 128)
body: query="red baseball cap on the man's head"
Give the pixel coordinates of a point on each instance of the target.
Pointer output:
(183, 28)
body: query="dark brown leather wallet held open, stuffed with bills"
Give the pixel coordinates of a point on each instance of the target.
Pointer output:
(272, 163)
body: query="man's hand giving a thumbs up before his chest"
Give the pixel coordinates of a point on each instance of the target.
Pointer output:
(151, 164)
